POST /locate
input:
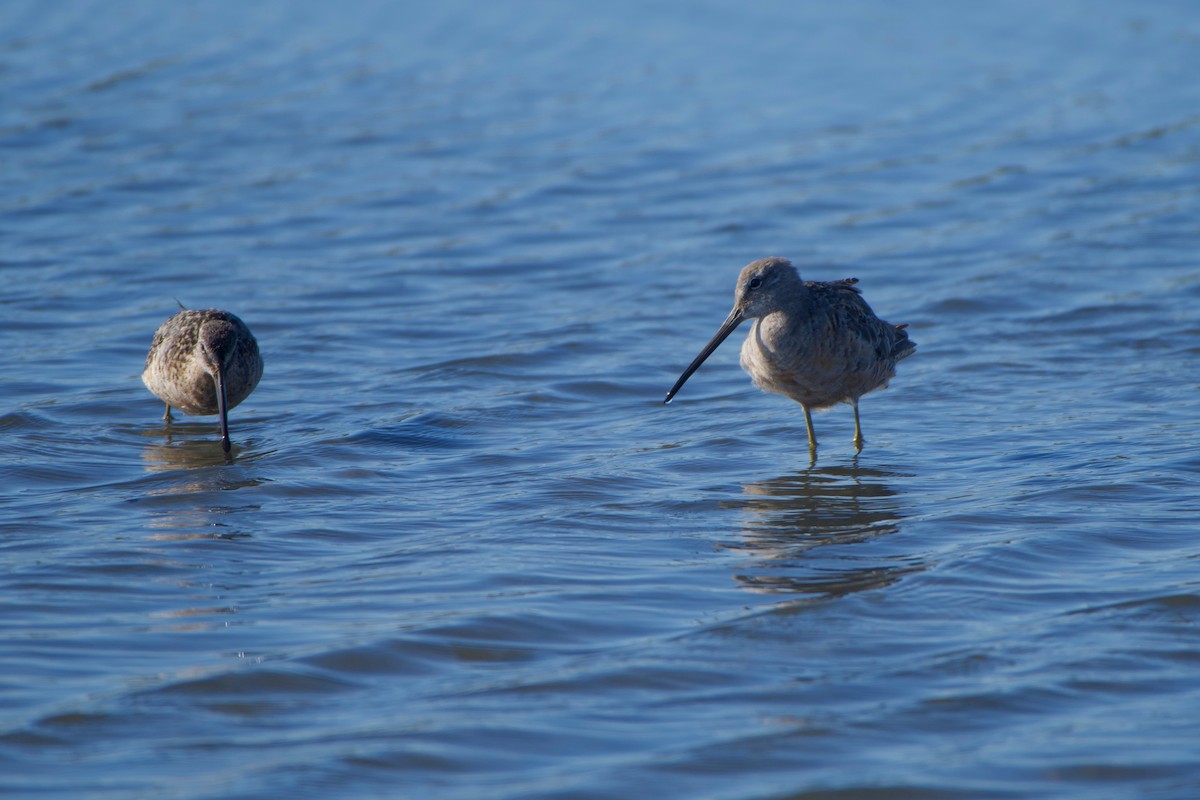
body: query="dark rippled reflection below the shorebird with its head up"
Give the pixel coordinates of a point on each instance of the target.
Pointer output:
(789, 518)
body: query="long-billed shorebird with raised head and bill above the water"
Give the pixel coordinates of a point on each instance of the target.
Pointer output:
(817, 342)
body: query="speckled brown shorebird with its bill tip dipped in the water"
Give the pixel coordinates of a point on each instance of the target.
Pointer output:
(203, 363)
